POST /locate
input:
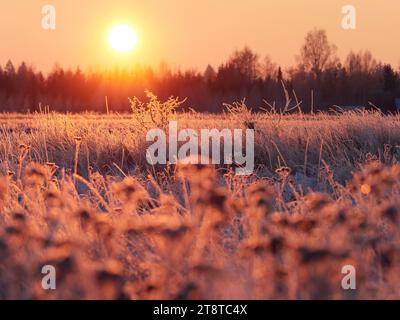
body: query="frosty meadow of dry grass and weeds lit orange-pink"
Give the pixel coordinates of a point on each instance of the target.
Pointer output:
(77, 193)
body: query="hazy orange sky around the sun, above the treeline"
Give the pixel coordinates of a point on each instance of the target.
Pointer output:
(190, 34)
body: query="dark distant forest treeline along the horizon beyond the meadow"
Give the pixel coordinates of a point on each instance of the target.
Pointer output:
(319, 79)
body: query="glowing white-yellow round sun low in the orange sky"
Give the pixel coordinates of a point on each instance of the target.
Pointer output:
(122, 38)
